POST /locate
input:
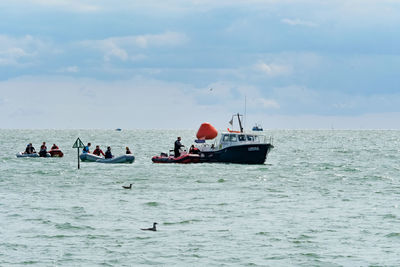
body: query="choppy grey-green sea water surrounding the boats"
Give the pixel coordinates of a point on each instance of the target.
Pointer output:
(323, 198)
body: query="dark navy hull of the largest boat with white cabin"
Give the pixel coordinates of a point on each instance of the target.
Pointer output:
(242, 154)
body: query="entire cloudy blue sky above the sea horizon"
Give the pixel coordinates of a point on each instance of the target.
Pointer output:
(173, 64)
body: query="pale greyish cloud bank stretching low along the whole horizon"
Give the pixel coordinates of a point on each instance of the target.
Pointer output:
(90, 103)
